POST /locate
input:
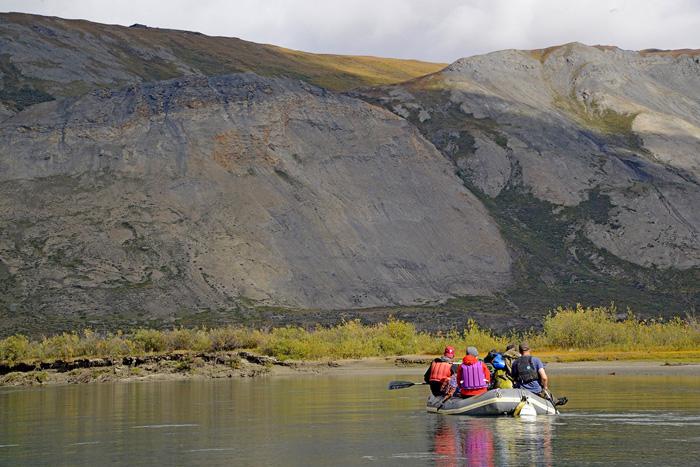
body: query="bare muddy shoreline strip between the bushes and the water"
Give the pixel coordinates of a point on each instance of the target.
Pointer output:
(243, 364)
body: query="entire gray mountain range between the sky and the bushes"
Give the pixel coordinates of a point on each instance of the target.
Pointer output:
(495, 188)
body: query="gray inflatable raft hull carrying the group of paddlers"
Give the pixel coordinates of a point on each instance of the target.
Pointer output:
(493, 402)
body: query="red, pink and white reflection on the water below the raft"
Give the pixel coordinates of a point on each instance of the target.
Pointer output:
(477, 441)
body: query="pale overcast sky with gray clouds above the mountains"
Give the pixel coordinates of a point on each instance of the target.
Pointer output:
(437, 30)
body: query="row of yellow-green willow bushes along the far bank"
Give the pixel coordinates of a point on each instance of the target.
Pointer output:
(567, 329)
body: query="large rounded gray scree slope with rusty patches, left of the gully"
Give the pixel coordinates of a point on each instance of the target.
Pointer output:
(201, 192)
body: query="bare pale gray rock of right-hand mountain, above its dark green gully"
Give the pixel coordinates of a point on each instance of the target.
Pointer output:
(574, 119)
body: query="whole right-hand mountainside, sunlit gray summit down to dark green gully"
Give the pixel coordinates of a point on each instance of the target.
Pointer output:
(589, 159)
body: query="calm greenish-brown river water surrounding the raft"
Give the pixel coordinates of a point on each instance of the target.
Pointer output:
(351, 420)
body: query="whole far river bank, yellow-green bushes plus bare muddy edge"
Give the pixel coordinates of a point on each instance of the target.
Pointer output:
(568, 335)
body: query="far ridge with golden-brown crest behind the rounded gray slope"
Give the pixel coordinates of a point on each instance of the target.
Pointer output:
(57, 57)
